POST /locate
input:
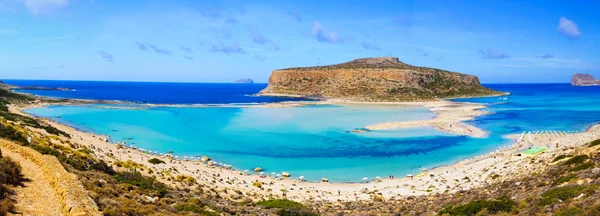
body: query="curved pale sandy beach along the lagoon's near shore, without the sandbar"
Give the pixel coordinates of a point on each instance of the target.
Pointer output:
(471, 168)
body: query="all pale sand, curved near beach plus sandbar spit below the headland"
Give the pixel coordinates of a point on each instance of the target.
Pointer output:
(480, 171)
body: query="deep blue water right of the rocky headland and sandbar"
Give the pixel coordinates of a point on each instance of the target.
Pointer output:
(533, 107)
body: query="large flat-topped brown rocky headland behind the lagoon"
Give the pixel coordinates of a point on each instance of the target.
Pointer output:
(374, 79)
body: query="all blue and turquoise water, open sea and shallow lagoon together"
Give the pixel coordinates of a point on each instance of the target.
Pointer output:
(311, 141)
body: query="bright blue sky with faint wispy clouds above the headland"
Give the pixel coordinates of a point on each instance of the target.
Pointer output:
(221, 41)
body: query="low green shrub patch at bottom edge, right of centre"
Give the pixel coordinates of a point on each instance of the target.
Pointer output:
(502, 204)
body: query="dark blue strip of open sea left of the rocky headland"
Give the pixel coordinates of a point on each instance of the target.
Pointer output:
(154, 92)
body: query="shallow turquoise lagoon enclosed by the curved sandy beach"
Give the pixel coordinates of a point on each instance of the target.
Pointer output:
(310, 141)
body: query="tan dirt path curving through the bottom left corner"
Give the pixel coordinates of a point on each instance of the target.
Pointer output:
(37, 196)
